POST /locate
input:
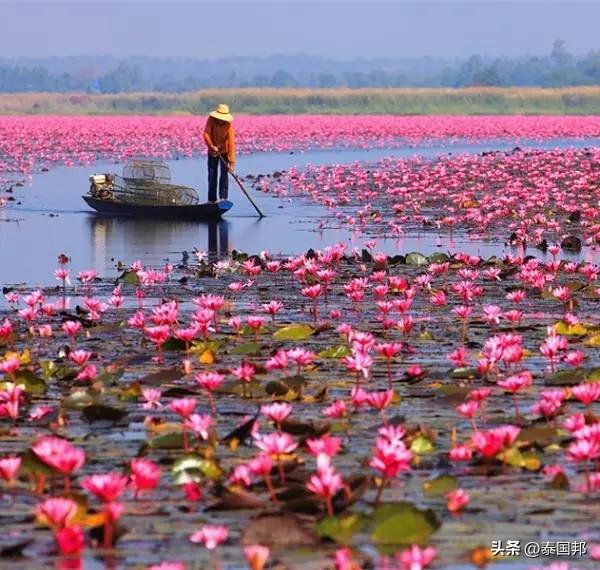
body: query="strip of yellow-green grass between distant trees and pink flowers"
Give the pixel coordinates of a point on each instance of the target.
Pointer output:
(417, 101)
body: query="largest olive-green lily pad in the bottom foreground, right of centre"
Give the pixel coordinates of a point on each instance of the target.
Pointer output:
(403, 523)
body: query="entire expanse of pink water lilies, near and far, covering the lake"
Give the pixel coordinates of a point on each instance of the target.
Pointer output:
(332, 409)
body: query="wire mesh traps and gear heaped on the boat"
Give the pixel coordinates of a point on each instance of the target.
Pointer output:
(145, 182)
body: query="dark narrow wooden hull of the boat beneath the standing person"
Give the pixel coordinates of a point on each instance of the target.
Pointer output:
(207, 211)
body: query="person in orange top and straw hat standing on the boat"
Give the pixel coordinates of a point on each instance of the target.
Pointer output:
(220, 139)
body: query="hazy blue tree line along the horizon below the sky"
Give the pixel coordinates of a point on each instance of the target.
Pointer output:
(559, 68)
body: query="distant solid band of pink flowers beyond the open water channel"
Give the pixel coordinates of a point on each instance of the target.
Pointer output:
(40, 141)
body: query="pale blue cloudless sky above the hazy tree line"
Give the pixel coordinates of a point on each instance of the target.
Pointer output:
(337, 28)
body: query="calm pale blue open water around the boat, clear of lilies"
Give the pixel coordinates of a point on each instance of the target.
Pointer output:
(52, 218)
